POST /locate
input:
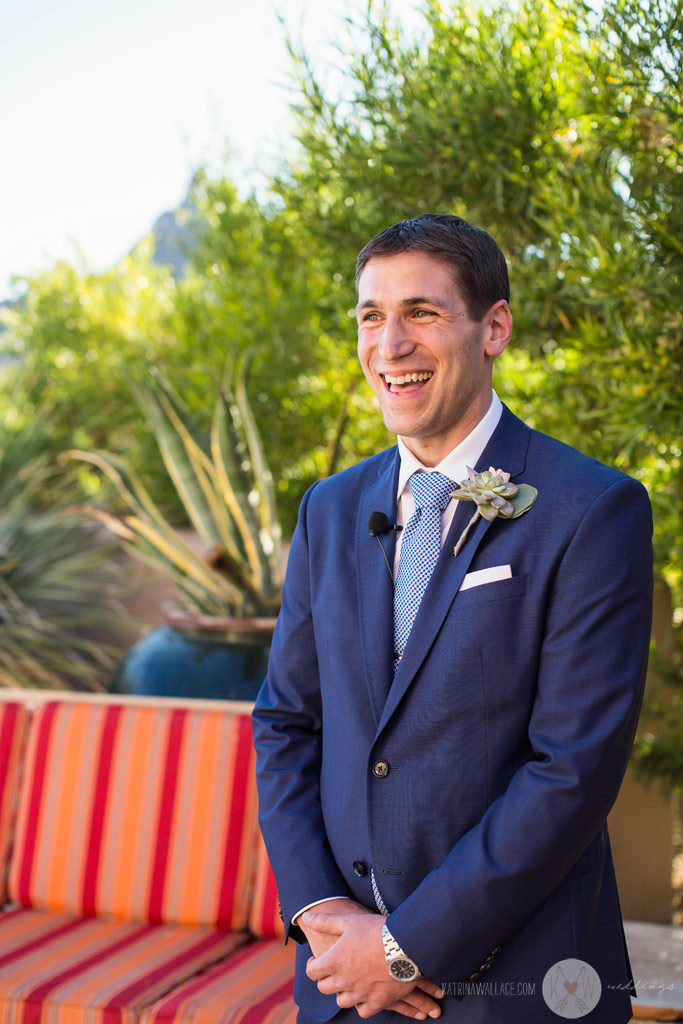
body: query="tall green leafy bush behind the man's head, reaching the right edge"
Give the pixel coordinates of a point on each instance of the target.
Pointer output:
(558, 130)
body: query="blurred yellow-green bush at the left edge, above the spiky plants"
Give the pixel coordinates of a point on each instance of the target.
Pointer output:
(81, 338)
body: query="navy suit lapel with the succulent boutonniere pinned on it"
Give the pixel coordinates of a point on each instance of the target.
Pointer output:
(506, 450)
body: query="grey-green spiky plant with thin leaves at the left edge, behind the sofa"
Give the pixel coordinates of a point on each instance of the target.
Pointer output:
(56, 575)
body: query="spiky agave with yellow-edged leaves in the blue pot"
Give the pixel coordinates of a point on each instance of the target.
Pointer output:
(227, 491)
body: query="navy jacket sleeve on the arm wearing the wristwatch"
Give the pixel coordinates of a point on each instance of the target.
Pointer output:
(590, 682)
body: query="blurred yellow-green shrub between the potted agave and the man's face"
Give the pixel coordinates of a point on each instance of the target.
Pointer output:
(257, 285)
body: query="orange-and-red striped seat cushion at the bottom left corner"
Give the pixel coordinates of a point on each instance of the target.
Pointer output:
(63, 970)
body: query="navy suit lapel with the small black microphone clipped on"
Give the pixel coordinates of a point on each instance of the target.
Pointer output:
(375, 582)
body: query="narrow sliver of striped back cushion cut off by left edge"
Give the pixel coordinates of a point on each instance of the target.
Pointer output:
(14, 727)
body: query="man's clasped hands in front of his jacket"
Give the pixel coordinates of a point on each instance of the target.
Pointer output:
(349, 962)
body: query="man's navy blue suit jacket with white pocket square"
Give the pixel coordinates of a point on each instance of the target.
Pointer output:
(507, 728)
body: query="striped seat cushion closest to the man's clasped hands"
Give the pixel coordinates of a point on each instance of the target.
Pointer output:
(254, 987)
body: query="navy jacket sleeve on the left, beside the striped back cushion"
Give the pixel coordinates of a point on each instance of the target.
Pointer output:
(287, 722)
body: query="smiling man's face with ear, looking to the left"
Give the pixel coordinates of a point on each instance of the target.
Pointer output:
(428, 362)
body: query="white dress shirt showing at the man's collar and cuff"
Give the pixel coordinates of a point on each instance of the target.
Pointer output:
(455, 467)
